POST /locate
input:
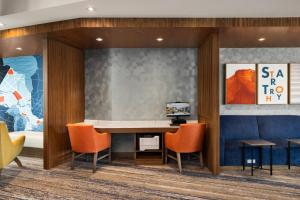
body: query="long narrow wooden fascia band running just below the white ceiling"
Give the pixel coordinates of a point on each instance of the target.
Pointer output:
(148, 23)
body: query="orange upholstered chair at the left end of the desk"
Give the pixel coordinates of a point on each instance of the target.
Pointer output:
(85, 139)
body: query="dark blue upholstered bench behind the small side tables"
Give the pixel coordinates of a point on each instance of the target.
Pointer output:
(275, 128)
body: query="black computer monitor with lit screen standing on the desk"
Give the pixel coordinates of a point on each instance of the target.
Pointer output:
(177, 110)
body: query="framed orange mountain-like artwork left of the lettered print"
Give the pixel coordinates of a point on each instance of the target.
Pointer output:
(240, 84)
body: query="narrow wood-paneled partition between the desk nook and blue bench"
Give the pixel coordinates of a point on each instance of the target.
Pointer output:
(208, 97)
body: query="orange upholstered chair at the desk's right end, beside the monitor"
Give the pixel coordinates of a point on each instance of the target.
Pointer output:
(188, 139)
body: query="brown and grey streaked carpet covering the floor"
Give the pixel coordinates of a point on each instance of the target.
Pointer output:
(126, 181)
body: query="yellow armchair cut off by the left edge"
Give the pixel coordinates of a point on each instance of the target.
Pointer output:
(9, 150)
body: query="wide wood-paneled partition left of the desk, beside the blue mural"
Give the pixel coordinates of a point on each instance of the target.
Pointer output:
(64, 98)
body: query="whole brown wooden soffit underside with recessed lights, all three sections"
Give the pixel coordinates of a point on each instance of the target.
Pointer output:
(85, 38)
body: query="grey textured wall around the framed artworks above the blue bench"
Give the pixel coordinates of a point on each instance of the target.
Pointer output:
(256, 55)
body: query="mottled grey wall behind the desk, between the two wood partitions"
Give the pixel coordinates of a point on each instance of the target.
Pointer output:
(136, 84)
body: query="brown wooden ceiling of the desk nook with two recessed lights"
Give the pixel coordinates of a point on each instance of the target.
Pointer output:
(85, 38)
